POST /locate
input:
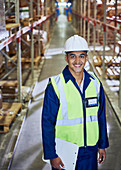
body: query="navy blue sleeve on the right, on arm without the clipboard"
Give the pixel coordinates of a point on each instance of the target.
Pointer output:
(103, 139)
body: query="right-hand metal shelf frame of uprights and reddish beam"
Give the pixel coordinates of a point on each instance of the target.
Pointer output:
(93, 22)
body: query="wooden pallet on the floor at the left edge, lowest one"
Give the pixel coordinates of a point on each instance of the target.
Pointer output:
(8, 115)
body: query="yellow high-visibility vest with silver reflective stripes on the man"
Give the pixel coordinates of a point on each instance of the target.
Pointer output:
(70, 117)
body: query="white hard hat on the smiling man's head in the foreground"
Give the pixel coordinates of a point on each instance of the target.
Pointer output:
(76, 43)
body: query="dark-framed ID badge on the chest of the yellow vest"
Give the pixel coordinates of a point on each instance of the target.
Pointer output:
(91, 102)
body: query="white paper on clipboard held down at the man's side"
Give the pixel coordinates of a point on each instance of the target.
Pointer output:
(68, 152)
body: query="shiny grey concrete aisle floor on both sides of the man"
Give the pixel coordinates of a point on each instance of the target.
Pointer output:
(28, 154)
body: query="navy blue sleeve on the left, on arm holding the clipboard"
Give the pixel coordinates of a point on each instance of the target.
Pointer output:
(49, 114)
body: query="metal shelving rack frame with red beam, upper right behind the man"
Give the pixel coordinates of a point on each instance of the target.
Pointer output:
(79, 14)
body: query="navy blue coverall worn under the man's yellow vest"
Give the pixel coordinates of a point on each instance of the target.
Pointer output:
(87, 155)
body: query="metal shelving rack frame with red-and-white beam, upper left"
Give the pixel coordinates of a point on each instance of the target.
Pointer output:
(17, 37)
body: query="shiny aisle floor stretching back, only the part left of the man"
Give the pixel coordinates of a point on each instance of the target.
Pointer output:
(29, 150)
